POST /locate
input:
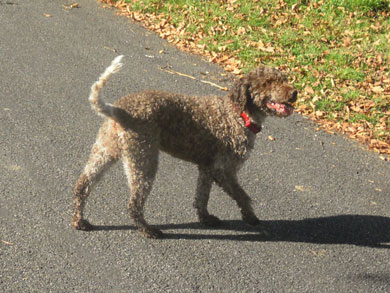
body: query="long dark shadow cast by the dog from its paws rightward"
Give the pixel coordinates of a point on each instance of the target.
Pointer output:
(361, 230)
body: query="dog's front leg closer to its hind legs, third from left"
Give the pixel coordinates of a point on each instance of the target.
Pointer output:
(205, 181)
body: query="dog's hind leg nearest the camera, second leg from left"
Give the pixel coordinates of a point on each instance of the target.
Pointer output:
(140, 163)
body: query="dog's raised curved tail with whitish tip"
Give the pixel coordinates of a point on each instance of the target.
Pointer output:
(98, 105)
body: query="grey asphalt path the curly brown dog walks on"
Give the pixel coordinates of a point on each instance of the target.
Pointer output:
(324, 200)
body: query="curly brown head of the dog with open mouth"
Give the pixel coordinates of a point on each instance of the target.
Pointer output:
(264, 91)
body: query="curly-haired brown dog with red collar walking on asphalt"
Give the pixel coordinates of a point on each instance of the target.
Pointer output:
(215, 133)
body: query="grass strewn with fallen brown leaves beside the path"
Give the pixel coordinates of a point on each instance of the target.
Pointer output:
(337, 52)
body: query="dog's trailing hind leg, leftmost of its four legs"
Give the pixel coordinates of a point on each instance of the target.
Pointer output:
(100, 158)
